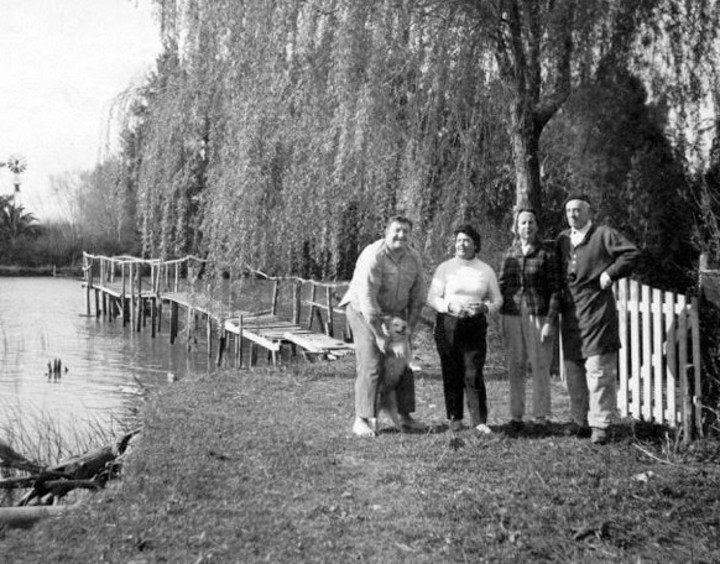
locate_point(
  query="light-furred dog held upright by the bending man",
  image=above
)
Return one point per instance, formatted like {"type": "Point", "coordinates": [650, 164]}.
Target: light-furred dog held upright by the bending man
{"type": "Point", "coordinates": [396, 362]}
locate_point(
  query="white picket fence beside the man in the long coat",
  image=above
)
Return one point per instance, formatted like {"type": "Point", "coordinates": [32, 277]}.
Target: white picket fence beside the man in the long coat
{"type": "Point", "coordinates": [659, 361]}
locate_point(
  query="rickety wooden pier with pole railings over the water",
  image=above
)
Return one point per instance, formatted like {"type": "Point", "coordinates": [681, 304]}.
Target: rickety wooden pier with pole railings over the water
{"type": "Point", "coordinates": [138, 291]}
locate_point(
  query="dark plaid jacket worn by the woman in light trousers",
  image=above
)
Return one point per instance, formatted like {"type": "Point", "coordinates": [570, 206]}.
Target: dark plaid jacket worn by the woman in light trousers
{"type": "Point", "coordinates": [535, 277]}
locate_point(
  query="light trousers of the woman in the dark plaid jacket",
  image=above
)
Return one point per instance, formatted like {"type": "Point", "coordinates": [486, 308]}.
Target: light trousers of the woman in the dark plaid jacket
{"type": "Point", "coordinates": [523, 345]}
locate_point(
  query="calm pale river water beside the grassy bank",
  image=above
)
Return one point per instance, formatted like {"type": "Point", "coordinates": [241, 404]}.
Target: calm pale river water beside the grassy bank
{"type": "Point", "coordinates": [43, 319]}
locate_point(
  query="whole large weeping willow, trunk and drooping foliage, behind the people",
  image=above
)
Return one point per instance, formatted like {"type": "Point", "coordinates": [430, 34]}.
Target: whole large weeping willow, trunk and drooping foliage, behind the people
{"type": "Point", "coordinates": [284, 133]}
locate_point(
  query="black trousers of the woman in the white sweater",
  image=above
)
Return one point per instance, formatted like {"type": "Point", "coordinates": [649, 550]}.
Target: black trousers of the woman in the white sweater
{"type": "Point", "coordinates": [462, 346]}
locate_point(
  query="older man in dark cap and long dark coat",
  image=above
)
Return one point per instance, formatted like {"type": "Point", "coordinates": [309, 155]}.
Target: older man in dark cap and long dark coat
{"type": "Point", "coordinates": [592, 258]}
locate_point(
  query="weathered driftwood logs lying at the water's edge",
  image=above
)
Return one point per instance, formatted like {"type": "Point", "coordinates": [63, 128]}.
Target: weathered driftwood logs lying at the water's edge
{"type": "Point", "coordinates": [48, 484]}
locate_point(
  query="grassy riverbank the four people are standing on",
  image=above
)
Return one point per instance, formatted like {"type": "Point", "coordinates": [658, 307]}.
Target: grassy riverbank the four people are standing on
{"type": "Point", "coordinates": [260, 466]}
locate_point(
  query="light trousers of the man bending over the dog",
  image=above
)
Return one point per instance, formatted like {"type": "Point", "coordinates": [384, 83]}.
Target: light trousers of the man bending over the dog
{"type": "Point", "coordinates": [369, 361]}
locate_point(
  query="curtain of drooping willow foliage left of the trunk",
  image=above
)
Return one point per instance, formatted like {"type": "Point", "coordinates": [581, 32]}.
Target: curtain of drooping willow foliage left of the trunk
{"type": "Point", "coordinates": [324, 118]}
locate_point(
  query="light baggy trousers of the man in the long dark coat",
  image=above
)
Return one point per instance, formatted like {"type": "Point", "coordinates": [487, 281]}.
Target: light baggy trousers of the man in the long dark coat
{"type": "Point", "coordinates": [592, 385]}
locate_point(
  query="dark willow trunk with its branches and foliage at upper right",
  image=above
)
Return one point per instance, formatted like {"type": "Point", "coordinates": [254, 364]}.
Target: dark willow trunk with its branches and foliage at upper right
{"type": "Point", "coordinates": [545, 49]}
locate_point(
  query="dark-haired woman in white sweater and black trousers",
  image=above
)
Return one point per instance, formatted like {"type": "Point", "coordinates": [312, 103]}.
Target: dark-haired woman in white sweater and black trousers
{"type": "Point", "coordinates": [463, 291]}
